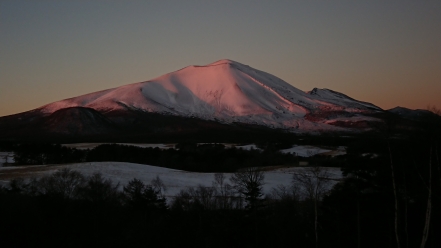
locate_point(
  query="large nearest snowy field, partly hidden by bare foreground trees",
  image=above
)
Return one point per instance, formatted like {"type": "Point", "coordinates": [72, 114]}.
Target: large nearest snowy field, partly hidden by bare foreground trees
{"type": "Point", "coordinates": [175, 180]}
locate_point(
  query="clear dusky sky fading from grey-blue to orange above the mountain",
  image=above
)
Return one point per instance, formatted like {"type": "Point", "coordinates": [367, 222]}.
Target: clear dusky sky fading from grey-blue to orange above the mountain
{"type": "Point", "coordinates": [384, 52]}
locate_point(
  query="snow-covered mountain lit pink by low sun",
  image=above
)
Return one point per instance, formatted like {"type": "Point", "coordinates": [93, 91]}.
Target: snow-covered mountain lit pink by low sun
{"type": "Point", "coordinates": [229, 92]}
